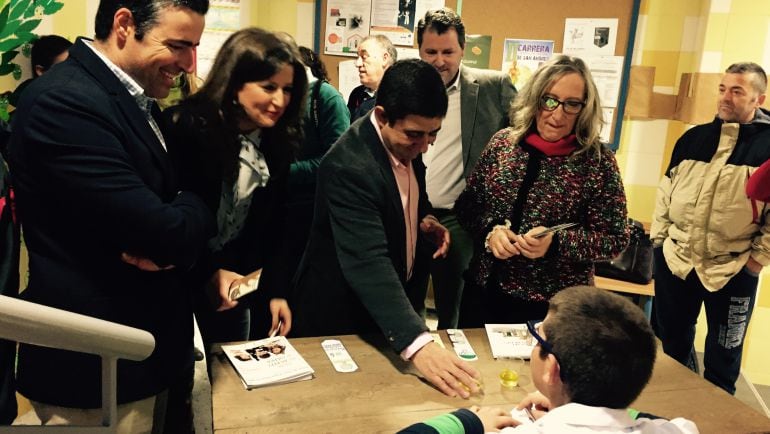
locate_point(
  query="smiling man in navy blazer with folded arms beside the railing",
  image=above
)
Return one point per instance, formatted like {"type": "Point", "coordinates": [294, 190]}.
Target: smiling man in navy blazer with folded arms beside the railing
{"type": "Point", "coordinates": [97, 196]}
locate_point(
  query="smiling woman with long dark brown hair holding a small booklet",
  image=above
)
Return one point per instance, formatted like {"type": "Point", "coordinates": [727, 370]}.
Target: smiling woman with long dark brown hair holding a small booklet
{"type": "Point", "coordinates": [233, 142]}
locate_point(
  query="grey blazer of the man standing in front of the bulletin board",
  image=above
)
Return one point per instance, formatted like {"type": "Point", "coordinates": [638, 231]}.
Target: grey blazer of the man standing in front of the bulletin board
{"type": "Point", "coordinates": [485, 100]}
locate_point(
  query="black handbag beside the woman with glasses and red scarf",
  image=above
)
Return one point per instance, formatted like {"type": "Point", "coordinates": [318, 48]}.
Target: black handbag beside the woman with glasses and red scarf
{"type": "Point", "coordinates": [634, 264]}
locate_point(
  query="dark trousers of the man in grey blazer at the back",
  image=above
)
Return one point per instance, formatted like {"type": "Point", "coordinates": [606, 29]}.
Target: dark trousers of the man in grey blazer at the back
{"type": "Point", "coordinates": [447, 273]}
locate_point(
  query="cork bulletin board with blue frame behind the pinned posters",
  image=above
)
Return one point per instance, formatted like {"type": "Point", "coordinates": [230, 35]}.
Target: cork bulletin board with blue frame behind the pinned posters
{"type": "Point", "coordinates": [526, 19]}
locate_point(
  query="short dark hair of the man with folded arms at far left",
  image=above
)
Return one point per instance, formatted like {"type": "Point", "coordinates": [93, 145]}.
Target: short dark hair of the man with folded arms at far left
{"type": "Point", "coordinates": [145, 13]}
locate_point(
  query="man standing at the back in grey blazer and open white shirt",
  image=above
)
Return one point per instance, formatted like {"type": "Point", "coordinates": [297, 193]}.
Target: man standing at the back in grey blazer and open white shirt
{"type": "Point", "coordinates": [479, 101]}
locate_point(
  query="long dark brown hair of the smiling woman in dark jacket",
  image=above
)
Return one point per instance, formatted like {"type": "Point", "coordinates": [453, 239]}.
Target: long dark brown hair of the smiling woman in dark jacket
{"type": "Point", "coordinates": [251, 55]}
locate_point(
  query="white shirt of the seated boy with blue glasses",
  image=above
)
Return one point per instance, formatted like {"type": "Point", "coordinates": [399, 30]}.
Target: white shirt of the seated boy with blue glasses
{"type": "Point", "coordinates": [578, 418]}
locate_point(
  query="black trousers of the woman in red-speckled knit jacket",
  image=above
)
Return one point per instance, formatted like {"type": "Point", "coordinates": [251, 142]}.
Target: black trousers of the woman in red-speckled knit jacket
{"type": "Point", "coordinates": [481, 306]}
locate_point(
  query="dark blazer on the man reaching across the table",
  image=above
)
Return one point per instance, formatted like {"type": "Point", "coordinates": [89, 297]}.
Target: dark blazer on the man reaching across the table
{"type": "Point", "coordinates": [352, 278]}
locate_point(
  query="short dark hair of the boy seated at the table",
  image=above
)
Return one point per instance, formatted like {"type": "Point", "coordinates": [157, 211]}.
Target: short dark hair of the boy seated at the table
{"type": "Point", "coordinates": [604, 344]}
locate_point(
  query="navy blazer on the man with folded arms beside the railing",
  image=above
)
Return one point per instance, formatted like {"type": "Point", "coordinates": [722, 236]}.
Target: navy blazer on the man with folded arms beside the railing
{"type": "Point", "coordinates": [93, 180]}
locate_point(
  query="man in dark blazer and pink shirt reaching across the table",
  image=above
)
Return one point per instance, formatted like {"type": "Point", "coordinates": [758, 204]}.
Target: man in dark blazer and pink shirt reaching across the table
{"type": "Point", "coordinates": [368, 243]}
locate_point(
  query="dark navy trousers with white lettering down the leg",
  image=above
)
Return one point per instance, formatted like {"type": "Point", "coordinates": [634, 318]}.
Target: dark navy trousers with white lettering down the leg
{"type": "Point", "coordinates": [728, 311]}
